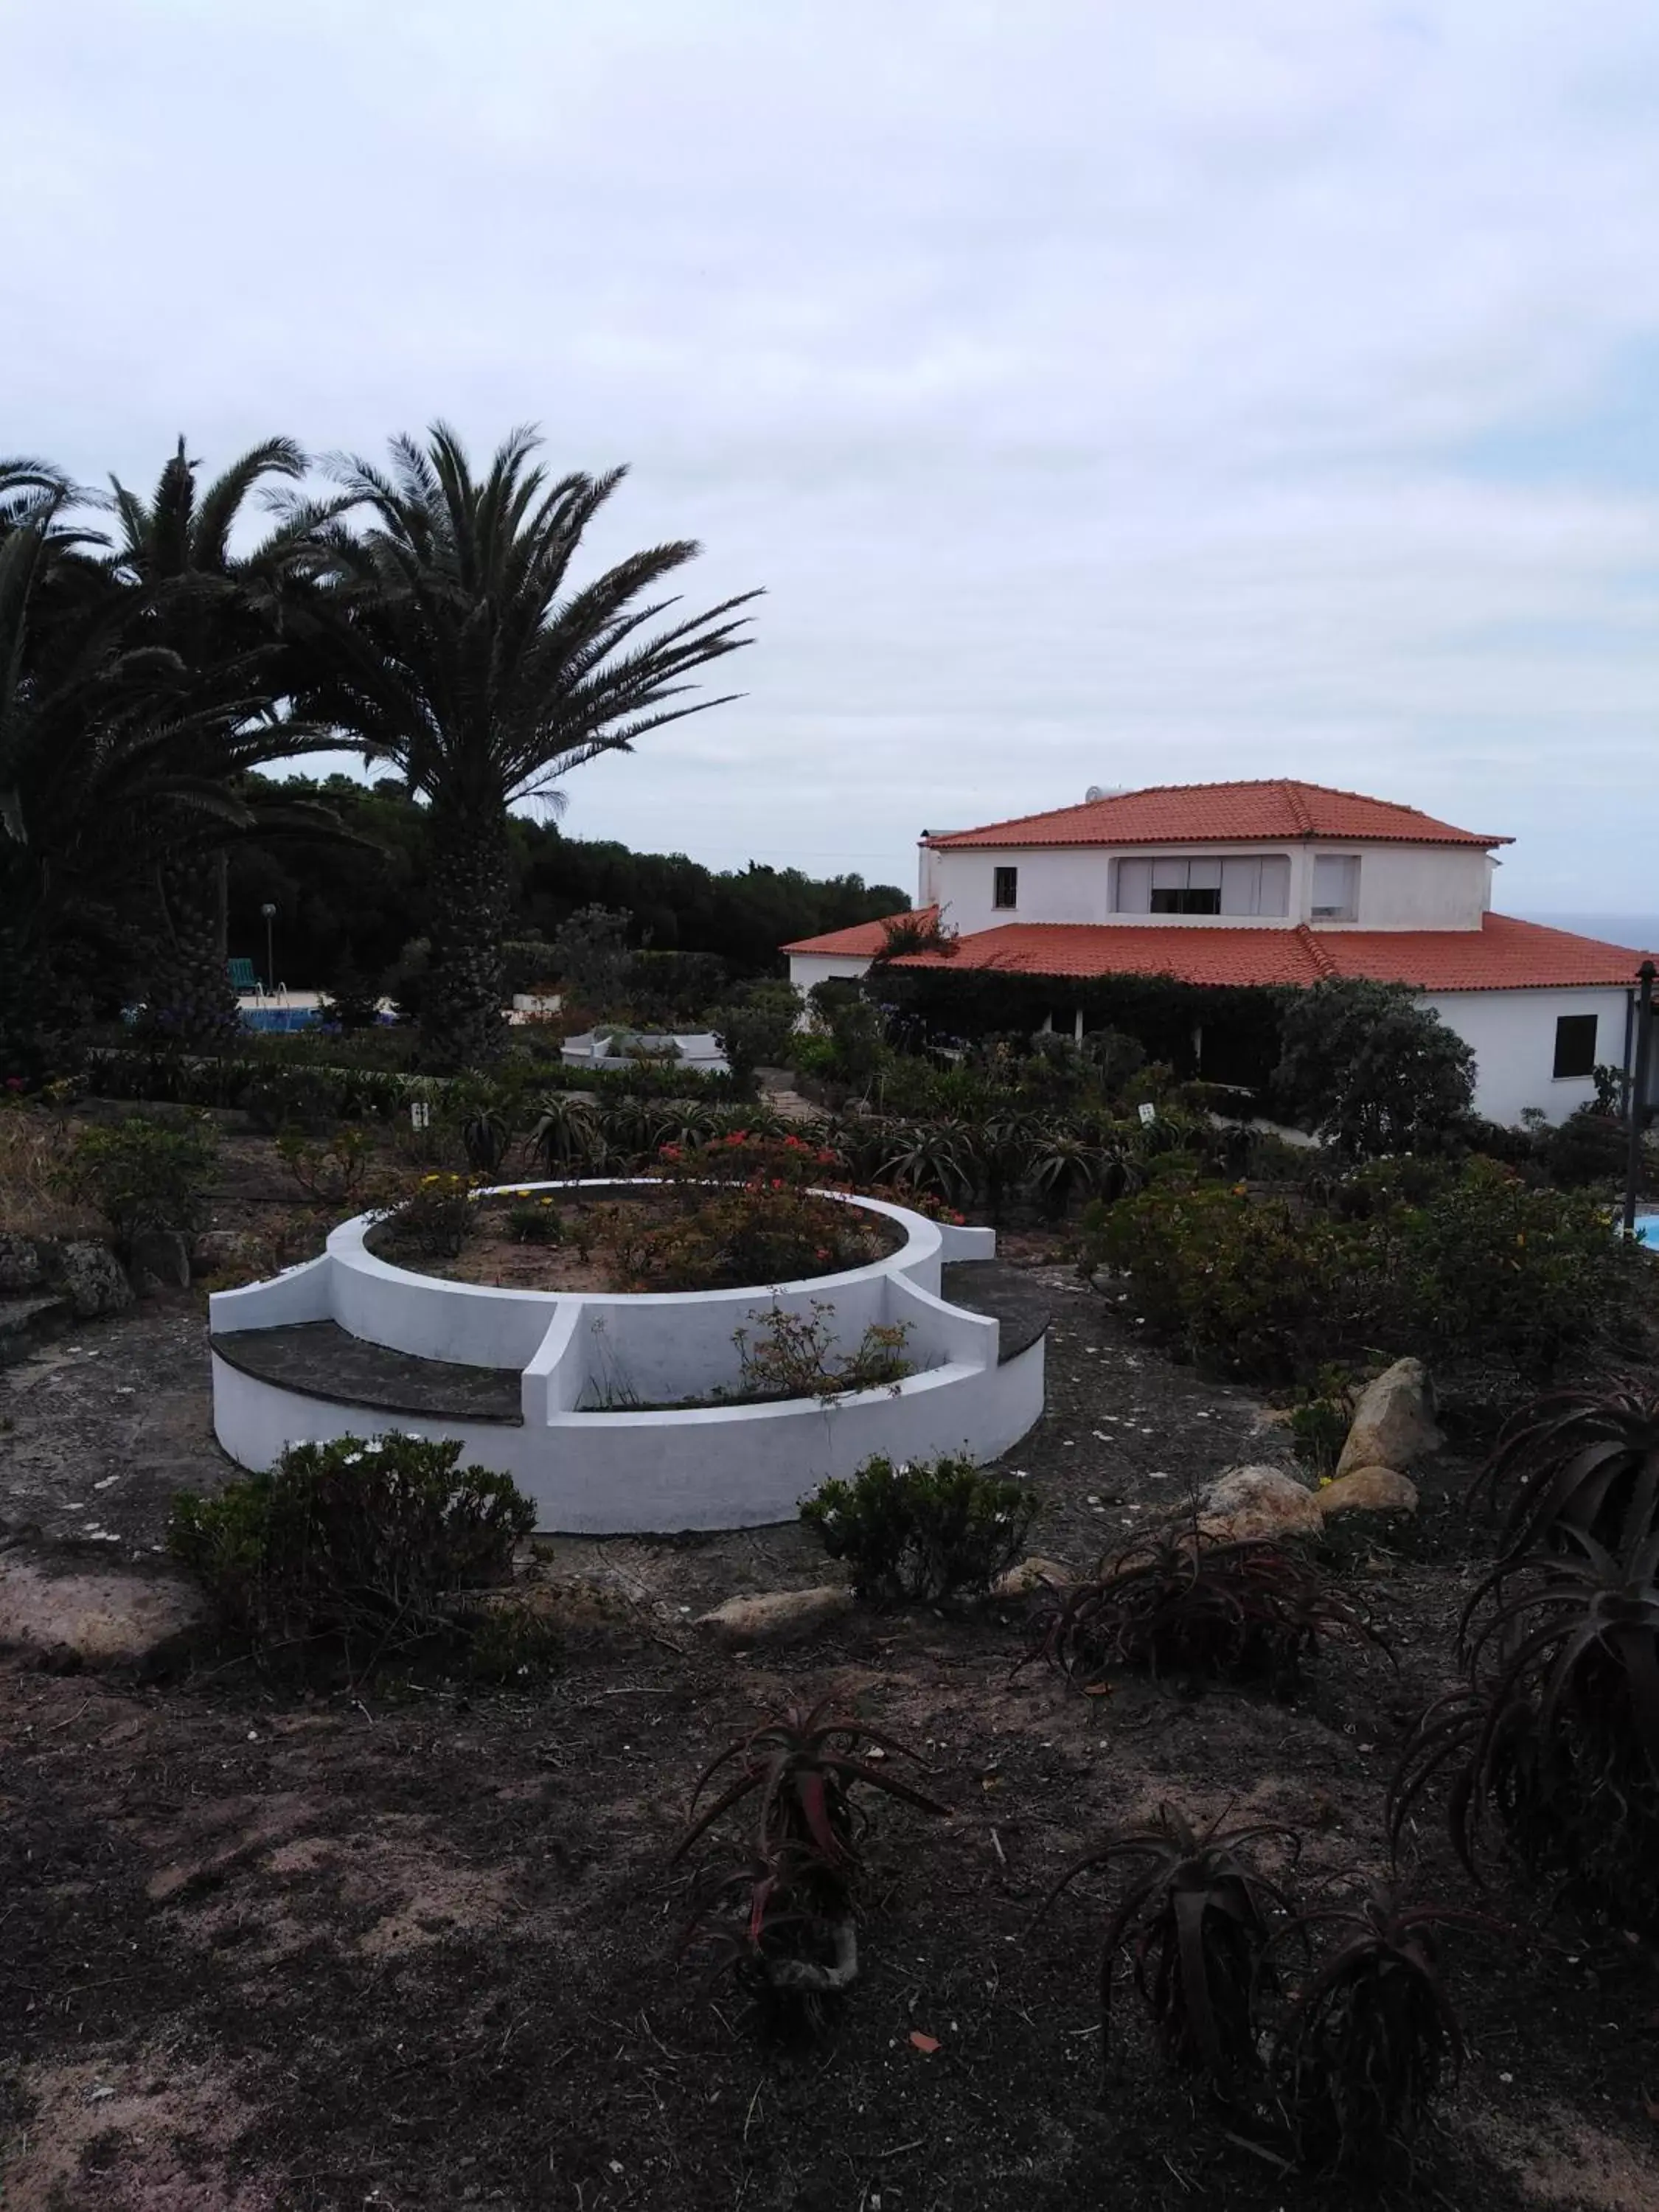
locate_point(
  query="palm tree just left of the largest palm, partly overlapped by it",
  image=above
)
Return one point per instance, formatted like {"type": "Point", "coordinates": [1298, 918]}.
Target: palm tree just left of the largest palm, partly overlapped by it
{"type": "Point", "coordinates": [229, 616]}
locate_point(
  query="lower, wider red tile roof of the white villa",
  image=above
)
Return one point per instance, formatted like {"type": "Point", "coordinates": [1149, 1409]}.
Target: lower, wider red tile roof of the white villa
{"type": "Point", "coordinates": [1499, 957]}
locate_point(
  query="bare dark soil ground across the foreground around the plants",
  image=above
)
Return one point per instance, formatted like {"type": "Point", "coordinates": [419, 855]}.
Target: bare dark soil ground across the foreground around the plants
{"type": "Point", "coordinates": [415, 1948]}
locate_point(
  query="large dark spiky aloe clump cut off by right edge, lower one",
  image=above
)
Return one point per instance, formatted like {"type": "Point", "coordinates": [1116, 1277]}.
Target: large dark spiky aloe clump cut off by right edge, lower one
{"type": "Point", "coordinates": [1554, 1735]}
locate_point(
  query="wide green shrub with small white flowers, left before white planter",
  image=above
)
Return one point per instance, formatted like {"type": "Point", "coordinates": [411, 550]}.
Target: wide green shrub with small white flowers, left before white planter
{"type": "Point", "coordinates": [366, 1541]}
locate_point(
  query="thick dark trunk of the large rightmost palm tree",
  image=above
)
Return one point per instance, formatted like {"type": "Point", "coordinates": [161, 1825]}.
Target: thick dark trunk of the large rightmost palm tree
{"type": "Point", "coordinates": [461, 1014]}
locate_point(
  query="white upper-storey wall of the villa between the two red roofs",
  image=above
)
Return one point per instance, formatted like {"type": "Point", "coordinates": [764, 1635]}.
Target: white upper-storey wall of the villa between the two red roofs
{"type": "Point", "coordinates": [1401, 886]}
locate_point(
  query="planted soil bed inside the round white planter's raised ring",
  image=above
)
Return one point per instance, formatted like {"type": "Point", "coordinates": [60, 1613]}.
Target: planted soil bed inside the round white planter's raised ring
{"type": "Point", "coordinates": [643, 1238]}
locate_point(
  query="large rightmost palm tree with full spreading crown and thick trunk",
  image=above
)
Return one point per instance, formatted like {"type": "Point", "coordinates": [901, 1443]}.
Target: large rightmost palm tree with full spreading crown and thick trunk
{"type": "Point", "coordinates": [466, 656]}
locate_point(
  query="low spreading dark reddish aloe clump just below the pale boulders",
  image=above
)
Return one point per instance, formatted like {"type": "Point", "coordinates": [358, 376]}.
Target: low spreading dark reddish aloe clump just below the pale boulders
{"type": "Point", "coordinates": [1185, 1605]}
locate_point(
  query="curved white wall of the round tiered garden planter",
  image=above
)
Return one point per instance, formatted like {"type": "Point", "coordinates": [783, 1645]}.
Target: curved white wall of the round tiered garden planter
{"type": "Point", "coordinates": [629, 1470]}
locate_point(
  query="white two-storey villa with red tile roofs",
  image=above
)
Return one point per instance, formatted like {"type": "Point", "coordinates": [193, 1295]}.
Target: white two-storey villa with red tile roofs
{"type": "Point", "coordinates": [1275, 884]}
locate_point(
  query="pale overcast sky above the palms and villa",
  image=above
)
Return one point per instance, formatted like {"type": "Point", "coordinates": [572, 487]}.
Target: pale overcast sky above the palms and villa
{"type": "Point", "coordinates": [1103, 393]}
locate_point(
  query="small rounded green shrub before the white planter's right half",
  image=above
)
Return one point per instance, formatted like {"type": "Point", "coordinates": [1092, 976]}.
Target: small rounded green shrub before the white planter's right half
{"type": "Point", "coordinates": [932, 1530]}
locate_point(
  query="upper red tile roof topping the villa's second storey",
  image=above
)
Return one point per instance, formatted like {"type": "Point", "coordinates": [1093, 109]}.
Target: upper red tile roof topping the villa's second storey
{"type": "Point", "coordinates": [1222, 815]}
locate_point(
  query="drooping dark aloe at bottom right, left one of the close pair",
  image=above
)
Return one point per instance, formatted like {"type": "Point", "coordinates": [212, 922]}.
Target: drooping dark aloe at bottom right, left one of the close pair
{"type": "Point", "coordinates": [1198, 1926]}
